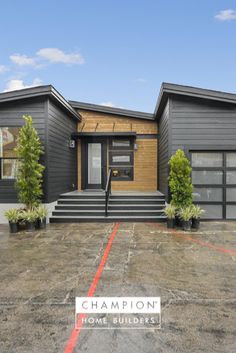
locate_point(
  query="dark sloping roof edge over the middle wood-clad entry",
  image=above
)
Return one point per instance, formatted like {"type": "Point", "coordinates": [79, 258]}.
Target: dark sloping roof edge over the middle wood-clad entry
{"type": "Point", "coordinates": [112, 110]}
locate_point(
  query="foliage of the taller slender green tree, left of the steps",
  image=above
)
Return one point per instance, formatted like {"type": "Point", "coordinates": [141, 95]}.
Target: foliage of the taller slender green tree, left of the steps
{"type": "Point", "coordinates": [30, 171]}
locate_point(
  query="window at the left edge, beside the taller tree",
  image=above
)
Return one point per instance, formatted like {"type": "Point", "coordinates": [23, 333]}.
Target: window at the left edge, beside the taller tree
{"type": "Point", "coordinates": [8, 158]}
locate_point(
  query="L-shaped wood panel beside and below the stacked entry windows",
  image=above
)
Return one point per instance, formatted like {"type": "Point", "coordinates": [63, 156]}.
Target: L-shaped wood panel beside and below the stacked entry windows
{"type": "Point", "coordinates": [145, 169]}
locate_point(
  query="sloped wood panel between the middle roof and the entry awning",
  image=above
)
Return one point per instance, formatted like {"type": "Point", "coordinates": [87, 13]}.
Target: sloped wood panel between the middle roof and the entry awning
{"type": "Point", "coordinates": [94, 121]}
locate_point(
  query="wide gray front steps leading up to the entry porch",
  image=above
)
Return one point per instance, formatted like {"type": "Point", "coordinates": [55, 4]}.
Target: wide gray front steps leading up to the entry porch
{"type": "Point", "coordinates": [124, 207]}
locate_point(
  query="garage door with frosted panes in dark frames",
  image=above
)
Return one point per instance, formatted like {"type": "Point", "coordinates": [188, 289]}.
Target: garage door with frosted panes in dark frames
{"type": "Point", "coordinates": [214, 180]}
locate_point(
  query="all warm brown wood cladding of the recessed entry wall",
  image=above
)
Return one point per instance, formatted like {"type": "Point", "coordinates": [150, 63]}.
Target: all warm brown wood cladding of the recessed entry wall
{"type": "Point", "coordinates": [145, 157]}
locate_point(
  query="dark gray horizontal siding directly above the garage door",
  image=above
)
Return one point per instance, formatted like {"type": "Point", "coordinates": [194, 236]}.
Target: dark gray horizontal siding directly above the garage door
{"type": "Point", "coordinates": [200, 123]}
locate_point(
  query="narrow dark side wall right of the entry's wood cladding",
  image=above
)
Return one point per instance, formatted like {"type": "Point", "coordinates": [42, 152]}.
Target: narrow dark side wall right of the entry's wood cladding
{"type": "Point", "coordinates": [163, 152]}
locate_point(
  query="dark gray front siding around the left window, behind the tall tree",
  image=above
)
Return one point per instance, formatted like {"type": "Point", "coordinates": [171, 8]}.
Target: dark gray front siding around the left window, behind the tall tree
{"type": "Point", "coordinates": [11, 115]}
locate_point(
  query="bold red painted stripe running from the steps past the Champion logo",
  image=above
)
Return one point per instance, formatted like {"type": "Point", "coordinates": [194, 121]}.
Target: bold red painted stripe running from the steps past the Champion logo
{"type": "Point", "coordinates": [71, 343]}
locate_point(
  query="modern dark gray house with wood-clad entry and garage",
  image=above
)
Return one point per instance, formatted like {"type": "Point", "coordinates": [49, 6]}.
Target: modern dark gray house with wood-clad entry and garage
{"type": "Point", "coordinates": [82, 142]}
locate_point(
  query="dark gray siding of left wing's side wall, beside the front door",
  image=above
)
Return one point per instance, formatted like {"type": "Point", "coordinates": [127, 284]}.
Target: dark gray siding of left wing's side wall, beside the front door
{"type": "Point", "coordinates": [61, 160]}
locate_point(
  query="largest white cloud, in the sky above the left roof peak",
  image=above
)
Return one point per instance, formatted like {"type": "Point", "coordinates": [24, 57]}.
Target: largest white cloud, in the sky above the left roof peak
{"type": "Point", "coordinates": [55, 55]}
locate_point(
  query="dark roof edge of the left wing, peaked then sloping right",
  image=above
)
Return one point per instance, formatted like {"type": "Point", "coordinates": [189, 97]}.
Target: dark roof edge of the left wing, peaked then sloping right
{"type": "Point", "coordinates": [46, 90]}
